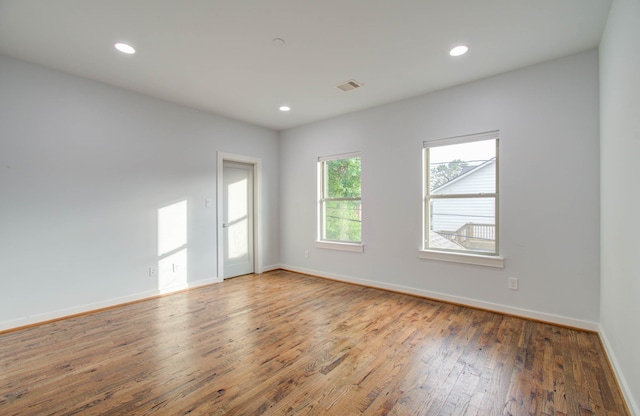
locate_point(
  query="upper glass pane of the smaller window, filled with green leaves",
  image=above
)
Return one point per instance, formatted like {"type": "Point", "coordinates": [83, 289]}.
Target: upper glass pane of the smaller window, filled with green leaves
{"type": "Point", "coordinates": [343, 178]}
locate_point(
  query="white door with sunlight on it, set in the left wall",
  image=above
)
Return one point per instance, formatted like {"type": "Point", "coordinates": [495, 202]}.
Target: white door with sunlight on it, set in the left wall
{"type": "Point", "coordinates": [237, 219]}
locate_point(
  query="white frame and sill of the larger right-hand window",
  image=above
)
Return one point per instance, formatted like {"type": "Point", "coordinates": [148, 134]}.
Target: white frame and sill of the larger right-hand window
{"type": "Point", "coordinates": [483, 258]}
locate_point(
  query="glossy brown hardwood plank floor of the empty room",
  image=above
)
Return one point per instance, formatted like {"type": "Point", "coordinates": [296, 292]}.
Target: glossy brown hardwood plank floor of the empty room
{"type": "Point", "coordinates": [284, 343]}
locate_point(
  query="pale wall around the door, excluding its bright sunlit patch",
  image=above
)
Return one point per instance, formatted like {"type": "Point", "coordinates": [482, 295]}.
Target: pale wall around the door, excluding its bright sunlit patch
{"type": "Point", "coordinates": [84, 168]}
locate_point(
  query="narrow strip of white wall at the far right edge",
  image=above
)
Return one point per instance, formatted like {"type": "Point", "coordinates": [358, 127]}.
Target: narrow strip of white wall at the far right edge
{"type": "Point", "coordinates": [620, 163]}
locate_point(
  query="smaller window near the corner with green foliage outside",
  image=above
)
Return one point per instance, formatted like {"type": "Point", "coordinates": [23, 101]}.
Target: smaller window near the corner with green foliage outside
{"type": "Point", "coordinates": [339, 204]}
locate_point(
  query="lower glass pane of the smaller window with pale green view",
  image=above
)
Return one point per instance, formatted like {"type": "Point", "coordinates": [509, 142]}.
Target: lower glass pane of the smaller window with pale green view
{"type": "Point", "coordinates": [343, 220]}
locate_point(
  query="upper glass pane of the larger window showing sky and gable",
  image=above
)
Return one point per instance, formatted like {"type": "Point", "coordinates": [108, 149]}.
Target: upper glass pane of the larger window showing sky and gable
{"type": "Point", "coordinates": [465, 168]}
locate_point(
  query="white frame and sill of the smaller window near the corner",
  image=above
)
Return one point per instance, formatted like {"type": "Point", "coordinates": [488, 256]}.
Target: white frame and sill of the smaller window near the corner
{"type": "Point", "coordinates": [322, 241]}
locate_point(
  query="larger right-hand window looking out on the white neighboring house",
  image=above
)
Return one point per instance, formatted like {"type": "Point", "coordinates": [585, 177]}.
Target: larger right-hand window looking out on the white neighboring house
{"type": "Point", "coordinates": [461, 194]}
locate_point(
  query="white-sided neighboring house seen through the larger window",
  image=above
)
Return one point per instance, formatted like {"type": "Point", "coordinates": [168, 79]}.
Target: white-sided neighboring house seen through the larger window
{"type": "Point", "coordinates": [458, 219]}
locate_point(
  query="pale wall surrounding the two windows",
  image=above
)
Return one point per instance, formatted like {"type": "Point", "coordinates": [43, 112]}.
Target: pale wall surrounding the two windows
{"type": "Point", "coordinates": [549, 184]}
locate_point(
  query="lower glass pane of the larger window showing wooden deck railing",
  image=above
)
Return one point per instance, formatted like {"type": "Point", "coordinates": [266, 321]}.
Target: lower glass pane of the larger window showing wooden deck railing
{"type": "Point", "coordinates": [466, 224]}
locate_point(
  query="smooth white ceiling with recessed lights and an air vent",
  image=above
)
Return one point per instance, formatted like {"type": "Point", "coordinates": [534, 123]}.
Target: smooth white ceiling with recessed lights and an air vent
{"type": "Point", "coordinates": [218, 55]}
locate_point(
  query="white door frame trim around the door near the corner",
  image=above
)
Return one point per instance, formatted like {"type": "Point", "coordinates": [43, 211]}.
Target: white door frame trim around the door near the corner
{"type": "Point", "coordinates": [257, 204]}
